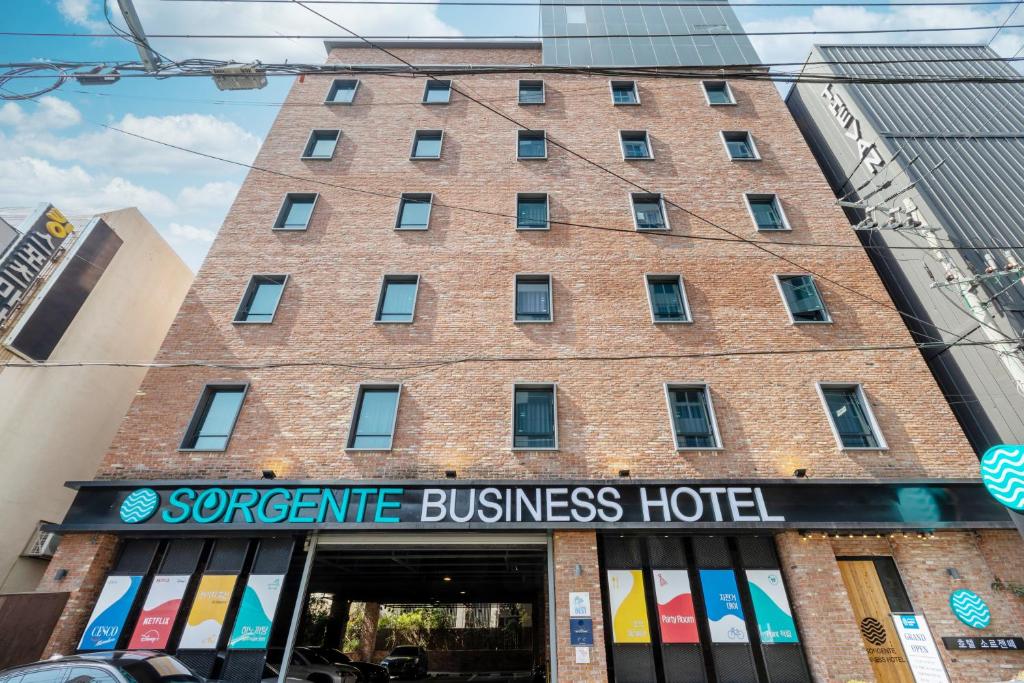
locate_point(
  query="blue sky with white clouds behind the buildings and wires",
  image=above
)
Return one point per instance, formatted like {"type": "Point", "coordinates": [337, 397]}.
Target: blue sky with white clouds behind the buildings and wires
{"type": "Point", "coordinates": [52, 151]}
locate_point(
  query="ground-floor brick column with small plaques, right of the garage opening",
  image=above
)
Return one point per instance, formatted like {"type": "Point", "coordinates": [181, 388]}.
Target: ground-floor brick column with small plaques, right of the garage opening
{"type": "Point", "coordinates": [571, 549]}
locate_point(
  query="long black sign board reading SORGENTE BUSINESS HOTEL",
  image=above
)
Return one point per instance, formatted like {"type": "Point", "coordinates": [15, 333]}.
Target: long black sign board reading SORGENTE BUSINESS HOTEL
{"type": "Point", "coordinates": [276, 505]}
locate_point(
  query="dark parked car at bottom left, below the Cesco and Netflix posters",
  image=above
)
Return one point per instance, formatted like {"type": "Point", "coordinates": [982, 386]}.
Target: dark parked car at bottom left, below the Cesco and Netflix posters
{"type": "Point", "coordinates": [113, 667]}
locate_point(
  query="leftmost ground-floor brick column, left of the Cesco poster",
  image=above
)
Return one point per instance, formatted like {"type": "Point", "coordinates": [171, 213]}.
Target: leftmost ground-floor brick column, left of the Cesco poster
{"type": "Point", "coordinates": [88, 559]}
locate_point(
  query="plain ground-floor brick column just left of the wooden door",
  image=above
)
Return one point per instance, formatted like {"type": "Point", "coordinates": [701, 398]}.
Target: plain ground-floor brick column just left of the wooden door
{"type": "Point", "coordinates": [828, 627]}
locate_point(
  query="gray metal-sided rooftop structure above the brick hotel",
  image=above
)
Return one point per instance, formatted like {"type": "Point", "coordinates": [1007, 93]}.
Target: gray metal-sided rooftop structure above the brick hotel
{"type": "Point", "coordinates": [625, 18]}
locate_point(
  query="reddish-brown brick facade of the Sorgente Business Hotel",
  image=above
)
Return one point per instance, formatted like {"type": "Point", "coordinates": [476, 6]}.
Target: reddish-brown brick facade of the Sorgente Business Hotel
{"type": "Point", "coordinates": [460, 359]}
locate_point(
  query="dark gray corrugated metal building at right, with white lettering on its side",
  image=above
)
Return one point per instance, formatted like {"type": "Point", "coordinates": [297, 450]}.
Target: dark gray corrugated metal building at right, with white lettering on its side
{"type": "Point", "coordinates": [950, 155]}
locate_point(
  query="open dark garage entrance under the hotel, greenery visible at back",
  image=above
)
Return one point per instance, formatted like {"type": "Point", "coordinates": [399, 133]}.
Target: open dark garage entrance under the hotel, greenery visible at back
{"type": "Point", "coordinates": [455, 608]}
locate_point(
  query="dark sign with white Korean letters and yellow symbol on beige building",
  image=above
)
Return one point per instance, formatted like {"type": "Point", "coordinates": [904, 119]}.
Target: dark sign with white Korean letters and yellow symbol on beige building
{"type": "Point", "coordinates": [26, 261]}
